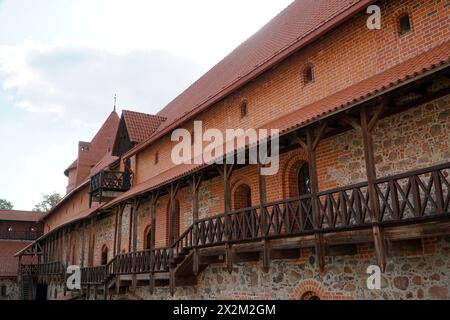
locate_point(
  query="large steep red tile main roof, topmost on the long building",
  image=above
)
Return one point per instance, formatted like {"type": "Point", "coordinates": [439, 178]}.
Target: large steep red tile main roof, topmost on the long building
{"type": "Point", "coordinates": [298, 25]}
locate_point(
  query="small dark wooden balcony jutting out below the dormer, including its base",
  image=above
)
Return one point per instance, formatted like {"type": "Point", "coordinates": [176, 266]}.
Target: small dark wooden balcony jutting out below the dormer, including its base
{"type": "Point", "coordinates": [107, 185]}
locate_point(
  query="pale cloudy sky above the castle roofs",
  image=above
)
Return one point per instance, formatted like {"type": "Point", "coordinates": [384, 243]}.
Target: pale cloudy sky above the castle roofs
{"type": "Point", "coordinates": [61, 62]}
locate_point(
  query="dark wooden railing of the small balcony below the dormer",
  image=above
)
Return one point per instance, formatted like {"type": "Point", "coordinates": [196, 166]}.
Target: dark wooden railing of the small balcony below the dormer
{"type": "Point", "coordinates": [110, 181]}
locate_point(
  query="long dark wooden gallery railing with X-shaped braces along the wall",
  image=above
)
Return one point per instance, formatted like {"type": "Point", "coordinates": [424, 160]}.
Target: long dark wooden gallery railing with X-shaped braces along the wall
{"type": "Point", "coordinates": [408, 197]}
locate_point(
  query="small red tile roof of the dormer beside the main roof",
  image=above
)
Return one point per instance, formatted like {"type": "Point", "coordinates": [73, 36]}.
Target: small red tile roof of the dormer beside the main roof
{"type": "Point", "coordinates": [141, 125]}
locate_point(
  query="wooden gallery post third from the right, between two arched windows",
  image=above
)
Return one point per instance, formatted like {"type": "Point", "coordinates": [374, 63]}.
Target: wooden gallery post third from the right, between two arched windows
{"type": "Point", "coordinates": [263, 217]}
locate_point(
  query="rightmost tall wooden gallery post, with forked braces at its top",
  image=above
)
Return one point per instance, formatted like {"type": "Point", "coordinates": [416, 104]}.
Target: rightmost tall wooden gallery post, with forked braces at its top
{"type": "Point", "coordinates": [367, 127]}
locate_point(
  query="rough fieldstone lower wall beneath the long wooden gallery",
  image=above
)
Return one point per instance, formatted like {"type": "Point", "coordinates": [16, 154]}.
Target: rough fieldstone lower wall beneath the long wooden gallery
{"type": "Point", "coordinates": [421, 274]}
